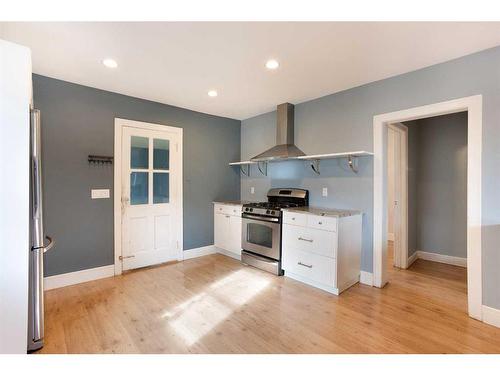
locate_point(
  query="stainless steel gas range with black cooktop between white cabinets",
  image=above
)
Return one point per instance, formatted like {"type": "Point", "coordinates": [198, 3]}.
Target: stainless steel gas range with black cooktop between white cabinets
{"type": "Point", "coordinates": [261, 228]}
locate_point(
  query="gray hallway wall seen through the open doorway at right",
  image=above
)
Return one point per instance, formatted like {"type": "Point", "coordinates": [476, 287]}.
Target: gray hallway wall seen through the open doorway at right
{"type": "Point", "coordinates": [439, 191]}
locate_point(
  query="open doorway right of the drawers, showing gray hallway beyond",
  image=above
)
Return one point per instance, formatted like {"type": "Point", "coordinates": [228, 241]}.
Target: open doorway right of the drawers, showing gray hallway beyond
{"type": "Point", "coordinates": [427, 191]}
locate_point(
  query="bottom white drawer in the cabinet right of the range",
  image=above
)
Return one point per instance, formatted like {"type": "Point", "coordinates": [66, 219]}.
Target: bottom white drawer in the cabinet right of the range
{"type": "Point", "coordinates": [314, 267]}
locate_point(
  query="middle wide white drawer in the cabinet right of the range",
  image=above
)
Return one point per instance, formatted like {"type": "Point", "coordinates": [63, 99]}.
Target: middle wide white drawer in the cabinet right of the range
{"type": "Point", "coordinates": [310, 240]}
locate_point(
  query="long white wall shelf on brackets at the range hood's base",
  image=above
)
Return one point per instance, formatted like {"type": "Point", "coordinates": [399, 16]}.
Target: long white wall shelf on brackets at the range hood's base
{"type": "Point", "coordinates": [352, 160]}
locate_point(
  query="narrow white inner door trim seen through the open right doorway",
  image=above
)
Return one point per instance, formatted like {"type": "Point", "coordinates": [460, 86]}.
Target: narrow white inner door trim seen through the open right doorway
{"type": "Point", "coordinates": [403, 202]}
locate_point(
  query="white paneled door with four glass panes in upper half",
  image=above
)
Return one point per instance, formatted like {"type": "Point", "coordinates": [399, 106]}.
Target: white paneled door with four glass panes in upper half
{"type": "Point", "coordinates": [150, 201]}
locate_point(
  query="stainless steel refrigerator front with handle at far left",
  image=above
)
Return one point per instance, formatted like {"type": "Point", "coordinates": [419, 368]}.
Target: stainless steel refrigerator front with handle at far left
{"type": "Point", "coordinates": [39, 243]}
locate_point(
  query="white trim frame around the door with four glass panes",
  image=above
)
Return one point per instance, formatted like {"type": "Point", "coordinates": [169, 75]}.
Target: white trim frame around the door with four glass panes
{"type": "Point", "coordinates": [119, 125]}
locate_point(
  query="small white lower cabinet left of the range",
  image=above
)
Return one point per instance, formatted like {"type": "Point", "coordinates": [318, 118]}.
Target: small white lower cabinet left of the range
{"type": "Point", "coordinates": [227, 229]}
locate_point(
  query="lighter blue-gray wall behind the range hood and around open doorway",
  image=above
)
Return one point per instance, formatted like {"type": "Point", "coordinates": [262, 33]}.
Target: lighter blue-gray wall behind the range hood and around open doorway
{"type": "Point", "coordinates": [344, 122]}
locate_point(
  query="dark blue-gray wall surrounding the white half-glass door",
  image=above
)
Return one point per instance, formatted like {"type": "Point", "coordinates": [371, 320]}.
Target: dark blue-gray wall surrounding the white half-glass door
{"type": "Point", "coordinates": [78, 121]}
